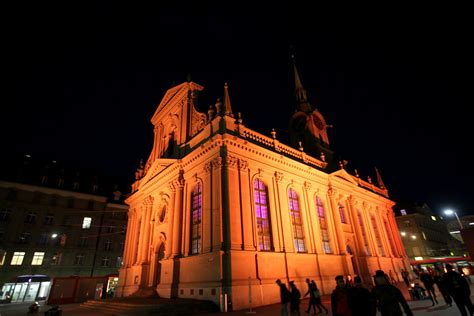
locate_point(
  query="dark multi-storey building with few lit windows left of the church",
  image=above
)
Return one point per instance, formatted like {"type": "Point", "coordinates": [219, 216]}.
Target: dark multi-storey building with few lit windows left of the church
{"type": "Point", "coordinates": [55, 224]}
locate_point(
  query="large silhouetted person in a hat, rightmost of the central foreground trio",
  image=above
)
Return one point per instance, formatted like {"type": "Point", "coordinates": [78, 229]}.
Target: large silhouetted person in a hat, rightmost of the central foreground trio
{"type": "Point", "coordinates": [388, 297]}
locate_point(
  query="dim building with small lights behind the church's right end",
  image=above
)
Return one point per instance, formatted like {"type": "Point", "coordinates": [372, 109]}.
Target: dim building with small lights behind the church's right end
{"type": "Point", "coordinates": [425, 234]}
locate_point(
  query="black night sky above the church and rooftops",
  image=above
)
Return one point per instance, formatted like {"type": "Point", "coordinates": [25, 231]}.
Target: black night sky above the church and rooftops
{"type": "Point", "coordinates": [83, 83]}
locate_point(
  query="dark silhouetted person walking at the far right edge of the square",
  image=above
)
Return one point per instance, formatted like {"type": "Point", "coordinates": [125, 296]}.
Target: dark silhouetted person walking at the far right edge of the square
{"type": "Point", "coordinates": [459, 290]}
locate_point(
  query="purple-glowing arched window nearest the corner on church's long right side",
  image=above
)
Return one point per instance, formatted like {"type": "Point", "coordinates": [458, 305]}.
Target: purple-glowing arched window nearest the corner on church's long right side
{"type": "Point", "coordinates": [262, 215]}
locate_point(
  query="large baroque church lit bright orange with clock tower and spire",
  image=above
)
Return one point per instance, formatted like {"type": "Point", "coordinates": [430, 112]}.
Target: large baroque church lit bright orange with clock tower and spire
{"type": "Point", "coordinates": [221, 209]}
